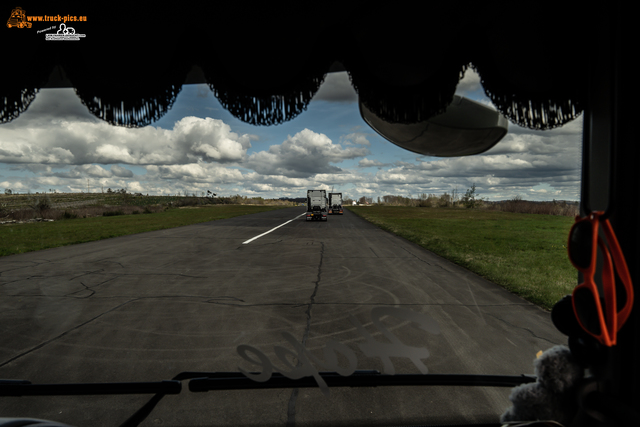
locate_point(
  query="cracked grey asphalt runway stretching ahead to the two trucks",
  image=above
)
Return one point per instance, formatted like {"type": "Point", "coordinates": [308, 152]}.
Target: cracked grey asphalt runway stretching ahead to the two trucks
{"type": "Point", "coordinates": [148, 306]}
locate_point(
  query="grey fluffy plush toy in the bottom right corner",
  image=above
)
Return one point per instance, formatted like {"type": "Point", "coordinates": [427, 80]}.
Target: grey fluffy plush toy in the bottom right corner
{"type": "Point", "coordinates": [552, 396]}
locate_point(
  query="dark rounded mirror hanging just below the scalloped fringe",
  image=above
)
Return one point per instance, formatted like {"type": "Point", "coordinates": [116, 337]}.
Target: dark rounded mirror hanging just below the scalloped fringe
{"type": "Point", "coordinates": [465, 128]}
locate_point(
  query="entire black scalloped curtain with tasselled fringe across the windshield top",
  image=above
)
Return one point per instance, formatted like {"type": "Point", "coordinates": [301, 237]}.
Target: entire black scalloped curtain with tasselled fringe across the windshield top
{"type": "Point", "coordinates": [290, 67]}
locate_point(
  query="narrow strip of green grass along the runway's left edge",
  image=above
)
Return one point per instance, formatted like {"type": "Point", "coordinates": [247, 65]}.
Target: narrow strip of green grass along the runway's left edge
{"type": "Point", "coordinates": [20, 238]}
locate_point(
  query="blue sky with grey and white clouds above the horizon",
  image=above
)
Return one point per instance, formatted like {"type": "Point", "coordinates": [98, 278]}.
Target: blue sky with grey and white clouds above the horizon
{"type": "Point", "coordinates": [199, 146]}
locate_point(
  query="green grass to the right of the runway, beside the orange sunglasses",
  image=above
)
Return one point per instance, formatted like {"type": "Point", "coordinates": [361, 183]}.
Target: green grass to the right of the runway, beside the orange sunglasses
{"type": "Point", "coordinates": [524, 253]}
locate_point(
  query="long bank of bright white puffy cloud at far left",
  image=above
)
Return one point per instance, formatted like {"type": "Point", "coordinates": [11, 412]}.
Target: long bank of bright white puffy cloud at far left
{"type": "Point", "coordinates": [49, 140]}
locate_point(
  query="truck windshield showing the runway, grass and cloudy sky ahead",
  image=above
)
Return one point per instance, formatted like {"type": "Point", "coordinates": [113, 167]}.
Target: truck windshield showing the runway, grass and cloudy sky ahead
{"type": "Point", "coordinates": [133, 254]}
